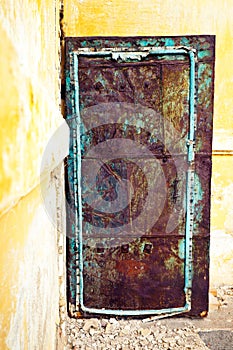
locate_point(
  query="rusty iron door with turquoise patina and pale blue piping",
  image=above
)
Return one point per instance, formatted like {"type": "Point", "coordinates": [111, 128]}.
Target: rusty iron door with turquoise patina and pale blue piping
{"type": "Point", "coordinates": [138, 179]}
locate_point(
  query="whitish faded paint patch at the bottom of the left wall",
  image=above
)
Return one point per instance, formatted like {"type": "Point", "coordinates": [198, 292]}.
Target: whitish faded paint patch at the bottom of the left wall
{"type": "Point", "coordinates": [36, 302]}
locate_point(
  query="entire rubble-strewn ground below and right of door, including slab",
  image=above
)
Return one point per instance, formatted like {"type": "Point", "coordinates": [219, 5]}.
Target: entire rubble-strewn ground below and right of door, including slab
{"type": "Point", "coordinates": [214, 332]}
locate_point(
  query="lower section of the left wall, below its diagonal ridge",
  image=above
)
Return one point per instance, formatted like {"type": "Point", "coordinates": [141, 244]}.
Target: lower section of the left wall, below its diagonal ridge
{"type": "Point", "coordinates": [29, 276]}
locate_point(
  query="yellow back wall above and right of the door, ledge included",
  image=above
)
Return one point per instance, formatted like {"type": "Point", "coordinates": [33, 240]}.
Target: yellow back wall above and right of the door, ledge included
{"type": "Point", "coordinates": [155, 17]}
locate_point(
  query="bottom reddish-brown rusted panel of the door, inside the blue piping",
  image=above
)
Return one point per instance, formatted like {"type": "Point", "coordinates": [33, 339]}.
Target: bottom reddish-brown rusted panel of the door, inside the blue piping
{"type": "Point", "coordinates": [123, 273]}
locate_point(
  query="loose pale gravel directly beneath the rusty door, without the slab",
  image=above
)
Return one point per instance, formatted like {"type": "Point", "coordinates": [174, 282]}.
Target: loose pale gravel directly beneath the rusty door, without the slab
{"type": "Point", "coordinates": [103, 334]}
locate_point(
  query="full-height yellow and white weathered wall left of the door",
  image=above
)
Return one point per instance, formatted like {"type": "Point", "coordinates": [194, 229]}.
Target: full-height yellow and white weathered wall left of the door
{"type": "Point", "coordinates": [29, 114]}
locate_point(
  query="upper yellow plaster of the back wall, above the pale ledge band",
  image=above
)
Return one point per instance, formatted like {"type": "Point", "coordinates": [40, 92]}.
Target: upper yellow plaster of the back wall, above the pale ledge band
{"type": "Point", "coordinates": [156, 17]}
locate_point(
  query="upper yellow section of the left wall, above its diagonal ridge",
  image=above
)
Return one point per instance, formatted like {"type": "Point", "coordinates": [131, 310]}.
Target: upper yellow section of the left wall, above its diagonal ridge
{"type": "Point", "coordinates": [29, 70]}
